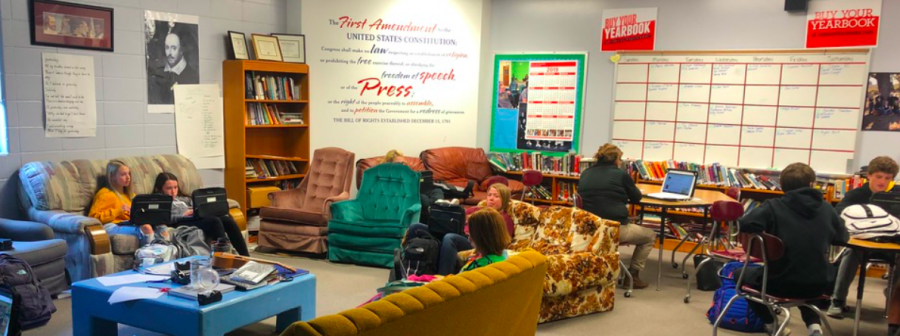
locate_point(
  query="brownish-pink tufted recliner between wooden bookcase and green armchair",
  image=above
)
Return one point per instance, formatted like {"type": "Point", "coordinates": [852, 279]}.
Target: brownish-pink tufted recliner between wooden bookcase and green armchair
{"type": "Point", "coordinates": [298, 218]}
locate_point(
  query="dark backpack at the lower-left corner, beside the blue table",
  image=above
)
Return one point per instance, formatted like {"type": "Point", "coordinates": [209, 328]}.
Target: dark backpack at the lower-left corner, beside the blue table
{"type": "Point", "coordinates": [32, 304]}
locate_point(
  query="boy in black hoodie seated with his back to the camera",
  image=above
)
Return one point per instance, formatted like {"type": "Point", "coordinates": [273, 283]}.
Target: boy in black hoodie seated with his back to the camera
{"type": "Point", "coordinates": [808, 226]}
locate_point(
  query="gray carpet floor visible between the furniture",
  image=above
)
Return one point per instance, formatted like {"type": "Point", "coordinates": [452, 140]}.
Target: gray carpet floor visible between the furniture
{"type": "Point", "coordinates": [648, 312]}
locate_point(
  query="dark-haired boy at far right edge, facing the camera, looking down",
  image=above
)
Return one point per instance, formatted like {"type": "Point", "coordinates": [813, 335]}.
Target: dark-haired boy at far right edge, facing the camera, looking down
{"type": "Point", "coordinates": [881, 173]}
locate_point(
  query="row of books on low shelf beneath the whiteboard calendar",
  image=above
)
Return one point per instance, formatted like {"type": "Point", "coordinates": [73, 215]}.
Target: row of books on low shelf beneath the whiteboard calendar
{"type": "Point", "coordinates": [713, 174]}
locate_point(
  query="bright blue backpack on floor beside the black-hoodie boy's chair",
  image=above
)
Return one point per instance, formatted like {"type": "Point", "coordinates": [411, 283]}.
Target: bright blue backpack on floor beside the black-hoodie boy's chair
{"type": "Point", "coordinates": [739, 317]}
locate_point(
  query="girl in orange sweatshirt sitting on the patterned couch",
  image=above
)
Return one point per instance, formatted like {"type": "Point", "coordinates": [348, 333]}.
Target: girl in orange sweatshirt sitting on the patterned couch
{"type": "Point", "coordinates": [112, 206]}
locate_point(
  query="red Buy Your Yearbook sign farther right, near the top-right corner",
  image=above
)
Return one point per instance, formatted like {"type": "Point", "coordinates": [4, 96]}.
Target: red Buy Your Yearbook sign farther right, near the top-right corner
{"type": "Point", "coordinates": [835, 24]}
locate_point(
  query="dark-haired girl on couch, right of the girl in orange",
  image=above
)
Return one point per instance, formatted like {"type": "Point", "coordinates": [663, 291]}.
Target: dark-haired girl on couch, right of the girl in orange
{"type": "Point", "coordinates": [183, 214]}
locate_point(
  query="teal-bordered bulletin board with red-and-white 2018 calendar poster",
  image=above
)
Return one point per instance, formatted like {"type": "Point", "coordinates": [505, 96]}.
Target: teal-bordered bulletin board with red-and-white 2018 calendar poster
{"type": "Point", "coordinates": [537, 102]}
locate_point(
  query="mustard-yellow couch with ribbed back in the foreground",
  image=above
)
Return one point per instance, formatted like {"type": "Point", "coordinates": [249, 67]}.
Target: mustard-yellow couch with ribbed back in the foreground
{"type": "Point", "coordinates": [498, 299]}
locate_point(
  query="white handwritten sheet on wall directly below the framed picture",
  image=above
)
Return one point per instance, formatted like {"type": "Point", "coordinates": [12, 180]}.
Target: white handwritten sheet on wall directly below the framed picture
{"type": "Point", "coordinates": [70, 101]}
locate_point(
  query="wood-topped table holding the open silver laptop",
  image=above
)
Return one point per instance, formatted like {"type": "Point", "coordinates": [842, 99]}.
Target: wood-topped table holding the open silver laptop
{"type": "Point", "coordinates": [702, 199]}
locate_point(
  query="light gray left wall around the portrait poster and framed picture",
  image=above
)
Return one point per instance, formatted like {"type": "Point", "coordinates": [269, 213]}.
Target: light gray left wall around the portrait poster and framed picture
{"type": "Point", "coordinates": [124, 128]}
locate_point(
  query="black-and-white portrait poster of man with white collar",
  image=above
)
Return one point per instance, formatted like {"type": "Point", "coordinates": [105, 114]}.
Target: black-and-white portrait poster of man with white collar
{"type": "Point", "coordinates": [173, 57]}
